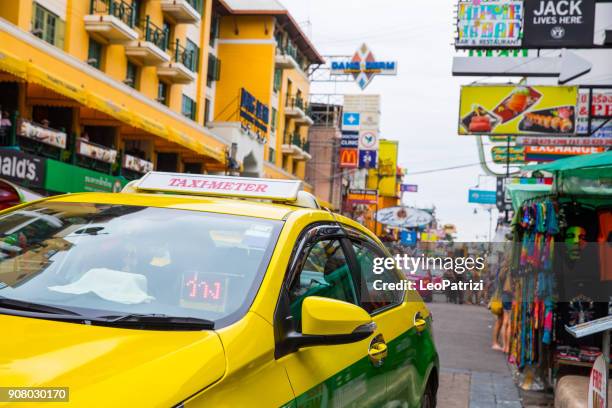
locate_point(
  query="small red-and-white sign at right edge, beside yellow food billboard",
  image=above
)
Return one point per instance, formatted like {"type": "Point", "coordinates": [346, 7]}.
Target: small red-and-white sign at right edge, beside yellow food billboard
{"type": "Point", "coordinates": [601, 107]}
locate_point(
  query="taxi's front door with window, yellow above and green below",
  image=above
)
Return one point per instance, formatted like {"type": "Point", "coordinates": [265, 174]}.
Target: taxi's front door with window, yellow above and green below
{"type": "Point", "coordinates": [347, 374]}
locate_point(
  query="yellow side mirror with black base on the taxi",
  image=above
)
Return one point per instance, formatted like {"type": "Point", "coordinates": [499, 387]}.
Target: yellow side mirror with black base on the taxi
{"type": "Point", "coordinates": [328, 321]}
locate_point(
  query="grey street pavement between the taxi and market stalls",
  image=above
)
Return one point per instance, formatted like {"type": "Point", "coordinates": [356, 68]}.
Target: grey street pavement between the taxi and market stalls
{"type": "Point", "coordinates": [472, 375]}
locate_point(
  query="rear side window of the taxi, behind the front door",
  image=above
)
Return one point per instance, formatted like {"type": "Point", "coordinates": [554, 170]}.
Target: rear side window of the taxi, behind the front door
{"type": "Point", "coordinates": [374, 300]}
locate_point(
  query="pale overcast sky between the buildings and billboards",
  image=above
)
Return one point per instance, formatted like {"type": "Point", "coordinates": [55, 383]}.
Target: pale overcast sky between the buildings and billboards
{"type": "Point", "coordinates": [420, 105]}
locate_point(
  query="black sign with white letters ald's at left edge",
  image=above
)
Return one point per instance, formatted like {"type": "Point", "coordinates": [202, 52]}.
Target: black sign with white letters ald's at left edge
{"type": "Point", "coordinates": [22, 168]}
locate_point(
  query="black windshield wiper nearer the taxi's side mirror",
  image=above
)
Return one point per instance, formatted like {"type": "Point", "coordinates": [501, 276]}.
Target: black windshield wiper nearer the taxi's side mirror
{"type": "Point", "coordinates": [156, 321]}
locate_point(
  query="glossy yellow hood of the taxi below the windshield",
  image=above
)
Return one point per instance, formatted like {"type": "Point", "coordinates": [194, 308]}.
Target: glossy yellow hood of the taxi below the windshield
{"type": "Point", "coordinates": [106, 367]}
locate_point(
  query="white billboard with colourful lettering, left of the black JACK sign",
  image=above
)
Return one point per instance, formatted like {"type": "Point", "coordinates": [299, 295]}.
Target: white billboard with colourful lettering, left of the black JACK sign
{"type": "Point", "coordinates": [489, 24]}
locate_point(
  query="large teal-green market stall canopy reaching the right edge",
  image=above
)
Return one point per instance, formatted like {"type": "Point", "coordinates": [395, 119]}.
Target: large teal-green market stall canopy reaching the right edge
{"type": "Point", "coordinates": [588, 174]}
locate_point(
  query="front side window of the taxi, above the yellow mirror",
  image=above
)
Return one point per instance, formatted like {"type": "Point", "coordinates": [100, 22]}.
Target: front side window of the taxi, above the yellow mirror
{"type": "Point", "coordinates": [325, 273]}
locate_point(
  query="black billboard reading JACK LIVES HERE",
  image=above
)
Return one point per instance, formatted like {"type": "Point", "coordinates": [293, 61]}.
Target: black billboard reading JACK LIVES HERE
{"type": "Point", "coordinates": [559, 23]}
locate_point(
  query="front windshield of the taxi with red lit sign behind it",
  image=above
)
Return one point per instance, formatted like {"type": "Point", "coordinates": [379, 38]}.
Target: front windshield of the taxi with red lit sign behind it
{"type": "Point", "coordinates": [100, 260]}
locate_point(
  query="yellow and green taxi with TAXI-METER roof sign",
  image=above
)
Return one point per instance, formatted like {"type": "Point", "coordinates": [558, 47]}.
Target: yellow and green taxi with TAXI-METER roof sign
{"type": "Point", "coordinates": [204, 291]}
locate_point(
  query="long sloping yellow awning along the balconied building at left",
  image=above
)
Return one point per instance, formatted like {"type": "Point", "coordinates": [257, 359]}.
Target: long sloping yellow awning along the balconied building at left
{"type": "Point", "coordinates": [103, 96]}
